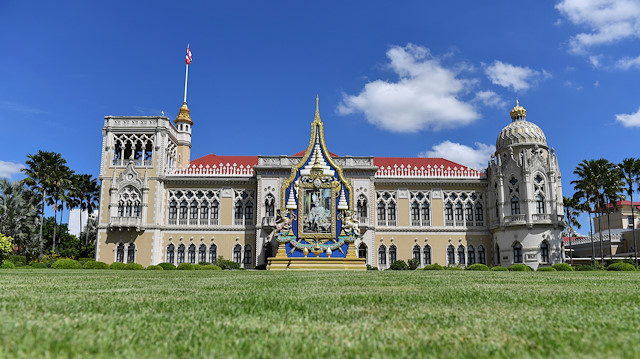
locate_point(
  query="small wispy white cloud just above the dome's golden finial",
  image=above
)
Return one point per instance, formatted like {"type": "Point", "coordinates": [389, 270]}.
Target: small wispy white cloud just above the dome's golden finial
{"type": "Point", "coordinates": [516, 77]}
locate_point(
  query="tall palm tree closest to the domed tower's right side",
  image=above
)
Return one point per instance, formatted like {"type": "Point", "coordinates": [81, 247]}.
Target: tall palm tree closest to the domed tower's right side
{"type": "Point", "coordinates": [588, 186]}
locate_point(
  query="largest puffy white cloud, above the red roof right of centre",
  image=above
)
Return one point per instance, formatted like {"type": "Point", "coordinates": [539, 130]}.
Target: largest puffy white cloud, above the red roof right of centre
{"type": "Point", "coordinates": [426, 95]}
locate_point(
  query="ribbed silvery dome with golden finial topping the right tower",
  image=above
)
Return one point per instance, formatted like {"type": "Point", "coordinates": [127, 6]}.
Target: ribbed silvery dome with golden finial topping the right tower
{"type": "Point", "coordinates": [520, 131]}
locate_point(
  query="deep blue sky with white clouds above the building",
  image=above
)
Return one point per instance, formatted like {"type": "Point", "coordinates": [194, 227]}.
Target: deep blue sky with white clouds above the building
{"type": "Point", "coordinates": [406, 78]}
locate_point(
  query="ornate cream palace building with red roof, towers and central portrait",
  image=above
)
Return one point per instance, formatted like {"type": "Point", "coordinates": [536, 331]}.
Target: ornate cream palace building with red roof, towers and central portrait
{"type": "Point", "coordinates": [318, 210]}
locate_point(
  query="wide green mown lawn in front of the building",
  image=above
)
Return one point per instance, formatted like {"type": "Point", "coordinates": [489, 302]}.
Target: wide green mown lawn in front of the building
{"type": "Point", "coordinates": [153, 314]}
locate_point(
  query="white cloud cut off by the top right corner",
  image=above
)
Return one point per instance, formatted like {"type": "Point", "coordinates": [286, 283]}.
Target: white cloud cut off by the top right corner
{"type": "Point", "coordinates": [607, 21]}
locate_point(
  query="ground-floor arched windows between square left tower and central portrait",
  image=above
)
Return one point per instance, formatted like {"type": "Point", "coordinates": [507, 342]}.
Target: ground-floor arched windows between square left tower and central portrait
{"type": "Point", "coordinates": [184, 254]}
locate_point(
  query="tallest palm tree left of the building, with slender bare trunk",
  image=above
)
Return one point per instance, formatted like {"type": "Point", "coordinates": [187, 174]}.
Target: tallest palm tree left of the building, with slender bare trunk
{"type": "Point", "coordinates": [42, 170]}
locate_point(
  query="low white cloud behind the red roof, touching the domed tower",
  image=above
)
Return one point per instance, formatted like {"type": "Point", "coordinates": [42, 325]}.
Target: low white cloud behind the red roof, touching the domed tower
{"type": "Point", "coordinates": [476, 158]}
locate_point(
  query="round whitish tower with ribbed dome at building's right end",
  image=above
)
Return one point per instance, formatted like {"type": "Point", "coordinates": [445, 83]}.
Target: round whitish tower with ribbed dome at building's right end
{"type": "Point", "coordinates": [525, 196]}
